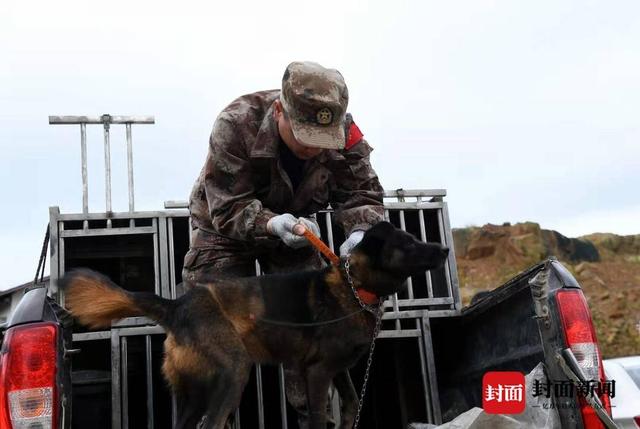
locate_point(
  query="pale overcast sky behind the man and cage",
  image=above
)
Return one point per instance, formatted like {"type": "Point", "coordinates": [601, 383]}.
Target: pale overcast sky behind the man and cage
{"type": "Point", "coordinates": [521, 110]}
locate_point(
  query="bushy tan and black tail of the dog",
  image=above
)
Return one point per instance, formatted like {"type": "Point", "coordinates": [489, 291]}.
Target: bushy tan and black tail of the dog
{"type": "Point", "coordinates": [95, 301]}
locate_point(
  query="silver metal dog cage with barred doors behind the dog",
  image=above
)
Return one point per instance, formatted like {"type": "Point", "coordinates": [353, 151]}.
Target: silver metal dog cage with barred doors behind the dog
{"type": "Point", "coordinates": [117, 375]}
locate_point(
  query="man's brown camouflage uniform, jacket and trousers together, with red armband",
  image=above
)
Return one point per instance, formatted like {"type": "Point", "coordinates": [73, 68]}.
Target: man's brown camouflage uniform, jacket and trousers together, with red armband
{"type": "Point", "coordinates": [244, 183]}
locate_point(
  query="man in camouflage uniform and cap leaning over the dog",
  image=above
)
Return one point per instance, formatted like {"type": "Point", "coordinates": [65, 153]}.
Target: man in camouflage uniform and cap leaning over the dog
{"type": "Point", "coordinates": [275, 158]}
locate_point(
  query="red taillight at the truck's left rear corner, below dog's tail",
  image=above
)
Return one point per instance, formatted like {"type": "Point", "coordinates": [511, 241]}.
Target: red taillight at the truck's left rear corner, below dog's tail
{"type": "Point", "coordinates": [28, 377]}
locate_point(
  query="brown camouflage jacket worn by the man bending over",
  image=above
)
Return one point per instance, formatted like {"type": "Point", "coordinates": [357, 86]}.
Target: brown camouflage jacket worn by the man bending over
{"type": "Point", "coordinates": [242, 184]}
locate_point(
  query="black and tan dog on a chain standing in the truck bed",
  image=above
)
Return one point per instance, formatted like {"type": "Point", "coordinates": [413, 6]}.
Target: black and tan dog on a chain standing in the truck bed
{"type": "Point", "coordinates": [216, 332]}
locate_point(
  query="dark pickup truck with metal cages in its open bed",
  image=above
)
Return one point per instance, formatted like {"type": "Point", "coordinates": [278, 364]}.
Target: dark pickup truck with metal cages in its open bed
{"type": "Point", "coordinates": [430, 358]}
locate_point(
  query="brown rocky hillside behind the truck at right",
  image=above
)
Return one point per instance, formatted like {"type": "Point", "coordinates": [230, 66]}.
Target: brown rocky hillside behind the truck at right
{"type": "Point", "coordinates": [607, 266]}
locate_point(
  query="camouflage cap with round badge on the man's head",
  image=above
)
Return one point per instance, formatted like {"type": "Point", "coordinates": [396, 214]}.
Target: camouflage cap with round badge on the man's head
{"type": "Point", "coordinates": [315, 99]}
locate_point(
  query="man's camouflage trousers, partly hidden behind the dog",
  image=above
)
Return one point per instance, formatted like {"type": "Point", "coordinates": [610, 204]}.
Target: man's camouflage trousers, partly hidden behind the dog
{"type": "Point", "coordinates": [204, 265]}
